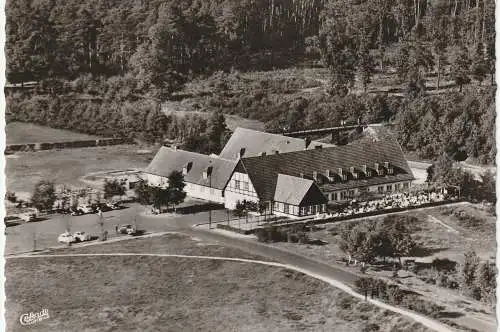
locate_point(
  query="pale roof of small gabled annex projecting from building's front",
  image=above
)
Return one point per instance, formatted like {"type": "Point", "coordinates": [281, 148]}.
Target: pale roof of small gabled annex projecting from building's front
{"type": "Point", "coordinates": [297, 191]}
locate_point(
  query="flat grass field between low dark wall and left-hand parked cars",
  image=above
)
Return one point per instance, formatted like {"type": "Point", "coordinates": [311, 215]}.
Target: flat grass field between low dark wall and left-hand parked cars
{"type": "Point", "coordinates": [67, 166]}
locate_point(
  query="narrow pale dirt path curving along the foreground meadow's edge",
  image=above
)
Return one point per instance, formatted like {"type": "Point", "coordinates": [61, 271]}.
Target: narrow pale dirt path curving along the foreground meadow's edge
{"type": "Point", "coordinates": [432, 324]}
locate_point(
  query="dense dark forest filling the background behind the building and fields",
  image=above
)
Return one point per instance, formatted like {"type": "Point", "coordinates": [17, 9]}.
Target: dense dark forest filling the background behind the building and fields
{"type": "Point", "coordinates": [104, 66]}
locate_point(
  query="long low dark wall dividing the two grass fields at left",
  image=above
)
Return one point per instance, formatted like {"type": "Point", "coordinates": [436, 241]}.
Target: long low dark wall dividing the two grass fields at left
{"type": "Point", "coordinates": [30, 147]}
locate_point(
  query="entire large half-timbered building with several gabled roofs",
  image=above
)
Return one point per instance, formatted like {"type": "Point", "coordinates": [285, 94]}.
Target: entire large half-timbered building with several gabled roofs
{"type": "Point", "coordinates": [294, 182]}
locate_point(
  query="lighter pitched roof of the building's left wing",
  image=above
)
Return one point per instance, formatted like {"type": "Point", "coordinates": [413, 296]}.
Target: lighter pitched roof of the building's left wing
{"type": "Point", "coordinates": [168, 160]}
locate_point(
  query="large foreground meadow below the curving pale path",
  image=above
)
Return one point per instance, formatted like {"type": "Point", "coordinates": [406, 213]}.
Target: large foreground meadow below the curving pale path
{"type": "Point", "coordinates": [179, 294]}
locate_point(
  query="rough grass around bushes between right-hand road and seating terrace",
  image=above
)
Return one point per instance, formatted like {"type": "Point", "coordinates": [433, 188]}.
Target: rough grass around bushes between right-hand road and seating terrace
{"type": "Point", "coordinates": [442, 235]}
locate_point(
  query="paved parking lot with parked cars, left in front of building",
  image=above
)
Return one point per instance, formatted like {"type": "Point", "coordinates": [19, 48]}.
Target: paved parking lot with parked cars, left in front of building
{"type": "Point", "coordinates": [21, 238]}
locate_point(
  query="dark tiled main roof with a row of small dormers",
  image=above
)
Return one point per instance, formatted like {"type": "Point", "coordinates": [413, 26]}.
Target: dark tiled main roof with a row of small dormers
{"type": "Point", "coordinates": [263, 170]}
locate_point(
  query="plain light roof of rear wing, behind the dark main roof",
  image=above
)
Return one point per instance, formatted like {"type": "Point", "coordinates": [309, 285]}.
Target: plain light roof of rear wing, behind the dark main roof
{"type": "Point", "coordinates": [252, 143]}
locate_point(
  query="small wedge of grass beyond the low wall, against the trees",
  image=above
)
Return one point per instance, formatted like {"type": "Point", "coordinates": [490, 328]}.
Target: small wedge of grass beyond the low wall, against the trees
{"type": "Point", "coordinates": [20, 133]}
